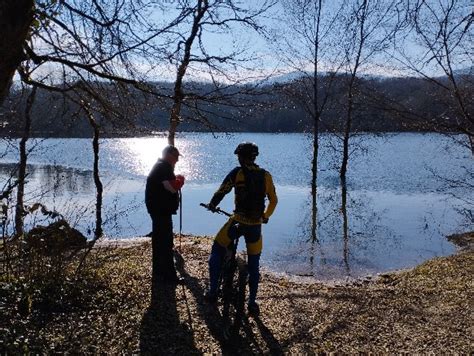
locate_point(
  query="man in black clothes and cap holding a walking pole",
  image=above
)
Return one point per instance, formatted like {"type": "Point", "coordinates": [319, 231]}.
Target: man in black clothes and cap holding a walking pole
{"type": "Point", "coordinates": [162, 201]}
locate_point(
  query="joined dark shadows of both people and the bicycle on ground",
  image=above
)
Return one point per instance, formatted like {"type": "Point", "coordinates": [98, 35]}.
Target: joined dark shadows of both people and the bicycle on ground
{"type": "Point", "coordinates": [162, 332]}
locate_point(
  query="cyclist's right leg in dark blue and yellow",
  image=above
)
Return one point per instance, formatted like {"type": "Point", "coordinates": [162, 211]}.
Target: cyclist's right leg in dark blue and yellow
{"type": "Point", "coordinates": [253, 239]}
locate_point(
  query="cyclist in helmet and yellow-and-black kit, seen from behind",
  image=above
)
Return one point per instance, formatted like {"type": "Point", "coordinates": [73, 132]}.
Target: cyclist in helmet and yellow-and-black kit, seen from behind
{"type": "Point", "coordinates": [252, 185]}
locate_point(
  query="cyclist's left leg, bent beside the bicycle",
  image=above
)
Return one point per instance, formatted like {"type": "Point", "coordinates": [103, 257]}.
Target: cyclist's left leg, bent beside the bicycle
{"type": "Point", "coordinates": [223, 238]}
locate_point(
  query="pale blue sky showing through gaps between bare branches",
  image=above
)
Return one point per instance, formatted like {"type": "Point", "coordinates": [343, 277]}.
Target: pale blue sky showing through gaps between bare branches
{"type": "Point", "coordinates": [268, 56]}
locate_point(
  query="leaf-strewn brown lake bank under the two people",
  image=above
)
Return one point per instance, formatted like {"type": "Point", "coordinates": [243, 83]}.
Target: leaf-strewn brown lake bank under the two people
{"type": "Point", "coordinates": [425, 309]}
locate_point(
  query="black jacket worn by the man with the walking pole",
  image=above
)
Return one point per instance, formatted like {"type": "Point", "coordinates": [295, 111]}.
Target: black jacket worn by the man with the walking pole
{"type": "Point", "coordinates": [158, 200]}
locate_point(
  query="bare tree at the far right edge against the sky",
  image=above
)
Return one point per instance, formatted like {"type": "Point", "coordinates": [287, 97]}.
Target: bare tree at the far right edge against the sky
{"type": "Point", "coordinates": [441, 32]}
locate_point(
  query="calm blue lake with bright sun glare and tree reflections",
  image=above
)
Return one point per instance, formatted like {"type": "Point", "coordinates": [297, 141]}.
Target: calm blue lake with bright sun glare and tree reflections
{"type": "Point", "coordinates": [406, 192]}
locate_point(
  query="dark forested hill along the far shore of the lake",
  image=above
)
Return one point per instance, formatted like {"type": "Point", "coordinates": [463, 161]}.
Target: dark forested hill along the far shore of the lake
{"type": "Point", "coordinates": [381, 104]}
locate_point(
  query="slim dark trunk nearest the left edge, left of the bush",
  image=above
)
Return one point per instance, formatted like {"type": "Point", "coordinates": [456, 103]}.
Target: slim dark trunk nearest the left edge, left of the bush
{"type": "Point", "coordinates": [19, 209]}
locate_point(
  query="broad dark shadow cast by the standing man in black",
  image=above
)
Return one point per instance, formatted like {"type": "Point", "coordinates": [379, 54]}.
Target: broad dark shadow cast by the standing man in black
{"type": "Point", "coordinates": [161, 331]}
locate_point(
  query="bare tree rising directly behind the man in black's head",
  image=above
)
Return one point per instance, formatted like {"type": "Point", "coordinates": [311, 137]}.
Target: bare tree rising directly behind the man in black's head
{"type": "Point", "coordinates": [192, 53]}
